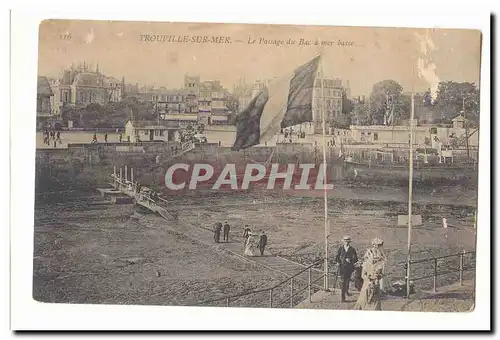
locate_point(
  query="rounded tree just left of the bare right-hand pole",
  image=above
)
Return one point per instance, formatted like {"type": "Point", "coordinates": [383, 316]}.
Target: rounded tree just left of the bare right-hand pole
{"type": "Point", "coordinates": [384, 95]}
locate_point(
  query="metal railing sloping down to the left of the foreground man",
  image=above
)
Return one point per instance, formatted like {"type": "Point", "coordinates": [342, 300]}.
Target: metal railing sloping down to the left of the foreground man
{"type": "Point", "coordinates": [288, 301]}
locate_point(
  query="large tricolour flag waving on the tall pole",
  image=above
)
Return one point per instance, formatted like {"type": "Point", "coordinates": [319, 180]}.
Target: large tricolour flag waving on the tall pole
{"type": "Point", "coordinates": [284, 102]}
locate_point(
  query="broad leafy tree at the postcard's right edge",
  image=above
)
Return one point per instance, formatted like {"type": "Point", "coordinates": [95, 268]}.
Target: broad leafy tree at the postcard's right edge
{"type": "Point", "coordinates": [453, 97]}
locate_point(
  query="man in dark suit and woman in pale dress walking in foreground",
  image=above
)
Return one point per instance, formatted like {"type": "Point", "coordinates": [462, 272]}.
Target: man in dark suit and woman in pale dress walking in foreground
{"type": "Point", "coordinates": [369, 273]}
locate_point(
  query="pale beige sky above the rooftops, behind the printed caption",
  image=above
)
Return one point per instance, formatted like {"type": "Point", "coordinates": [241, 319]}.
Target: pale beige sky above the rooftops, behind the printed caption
{"type": "Point", "coordinates": [375, 53]}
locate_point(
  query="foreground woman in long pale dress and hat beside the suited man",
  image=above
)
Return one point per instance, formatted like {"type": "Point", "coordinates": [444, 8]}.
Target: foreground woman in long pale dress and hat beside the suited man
{"type": "Point", "coordinates": [370, 296]}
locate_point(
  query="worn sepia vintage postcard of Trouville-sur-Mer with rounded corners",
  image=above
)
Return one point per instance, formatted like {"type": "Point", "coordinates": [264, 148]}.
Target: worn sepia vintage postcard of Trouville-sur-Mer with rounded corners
{"type": "Point", "coordinates": [262, 166]}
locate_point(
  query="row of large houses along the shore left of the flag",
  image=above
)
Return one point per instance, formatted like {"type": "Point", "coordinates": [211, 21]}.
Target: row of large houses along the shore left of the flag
{"type": "Point", "coordinates": [81, 85]}
